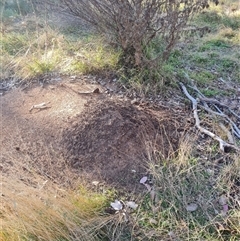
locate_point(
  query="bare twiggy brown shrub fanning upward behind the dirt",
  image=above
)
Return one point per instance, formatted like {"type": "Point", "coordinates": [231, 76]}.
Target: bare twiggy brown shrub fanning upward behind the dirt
{"type": "Point", "coordinates": [135, 25]}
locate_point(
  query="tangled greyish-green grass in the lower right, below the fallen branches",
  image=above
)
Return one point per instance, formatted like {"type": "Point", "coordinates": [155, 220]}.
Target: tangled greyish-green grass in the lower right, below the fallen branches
{"type": "Point", "coordinates": [184, 180]}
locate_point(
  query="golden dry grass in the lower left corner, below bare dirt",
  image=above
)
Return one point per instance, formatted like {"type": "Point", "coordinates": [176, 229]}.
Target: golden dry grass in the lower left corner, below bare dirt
{"type": "Point", "coordinates": [37, 214]}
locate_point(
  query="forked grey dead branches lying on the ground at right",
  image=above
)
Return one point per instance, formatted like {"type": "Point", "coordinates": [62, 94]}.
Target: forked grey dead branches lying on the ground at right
{"type": "Point", "coordinates": [195, 103]}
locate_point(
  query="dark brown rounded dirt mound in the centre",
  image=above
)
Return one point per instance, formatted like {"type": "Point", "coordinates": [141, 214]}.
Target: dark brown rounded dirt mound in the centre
{"type": "Point", "coordinates": [113, 139]}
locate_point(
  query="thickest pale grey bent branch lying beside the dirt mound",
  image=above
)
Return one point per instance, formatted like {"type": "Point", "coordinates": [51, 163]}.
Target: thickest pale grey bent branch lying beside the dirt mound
{"type": "Point", "coordinates": [222, 143]}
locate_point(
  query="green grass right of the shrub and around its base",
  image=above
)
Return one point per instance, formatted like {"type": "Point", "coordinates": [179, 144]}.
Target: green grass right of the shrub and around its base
{"type": "Point", "coordinates": [205, 59]}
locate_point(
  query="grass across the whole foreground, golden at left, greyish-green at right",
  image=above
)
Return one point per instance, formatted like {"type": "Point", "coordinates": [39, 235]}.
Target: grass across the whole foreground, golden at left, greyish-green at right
{"type": "Point", "coordinates": [49, 212]}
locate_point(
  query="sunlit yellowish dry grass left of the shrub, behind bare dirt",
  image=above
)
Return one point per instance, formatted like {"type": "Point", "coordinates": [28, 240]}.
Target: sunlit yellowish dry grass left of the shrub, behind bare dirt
{"type": "Point", "coordinates": [29, 53]}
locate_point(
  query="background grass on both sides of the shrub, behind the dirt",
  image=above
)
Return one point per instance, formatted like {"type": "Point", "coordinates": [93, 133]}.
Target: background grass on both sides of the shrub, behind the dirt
{"type": "Point", "coordinates": [31, 51]}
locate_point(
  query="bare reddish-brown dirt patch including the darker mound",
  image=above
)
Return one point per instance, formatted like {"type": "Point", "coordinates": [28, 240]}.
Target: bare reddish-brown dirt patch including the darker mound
{"type": "Point", "coordinates": [81, 134]}
